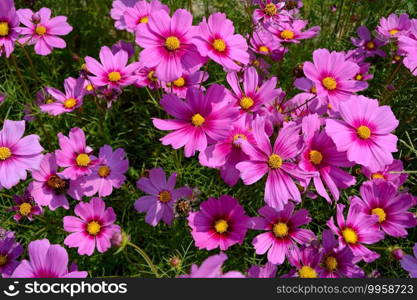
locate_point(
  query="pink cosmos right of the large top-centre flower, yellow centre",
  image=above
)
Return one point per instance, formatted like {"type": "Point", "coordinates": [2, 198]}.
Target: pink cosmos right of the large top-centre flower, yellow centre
{"type": "Point", "coordinates": [216, 39]}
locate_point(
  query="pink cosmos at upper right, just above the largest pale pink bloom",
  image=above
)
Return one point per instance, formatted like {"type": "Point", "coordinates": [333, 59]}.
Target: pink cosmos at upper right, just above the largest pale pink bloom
{"type": "Point", "coordinates": [332, 75]}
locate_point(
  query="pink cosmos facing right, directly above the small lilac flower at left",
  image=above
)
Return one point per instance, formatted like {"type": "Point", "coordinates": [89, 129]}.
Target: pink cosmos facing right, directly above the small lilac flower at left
{"type": "Point", "coordinates": [74, 155]}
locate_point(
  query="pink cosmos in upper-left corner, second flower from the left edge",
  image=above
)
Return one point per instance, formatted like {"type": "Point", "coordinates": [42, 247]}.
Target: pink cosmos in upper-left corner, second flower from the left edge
{"type": "Point", "coordinates": [43, 31]}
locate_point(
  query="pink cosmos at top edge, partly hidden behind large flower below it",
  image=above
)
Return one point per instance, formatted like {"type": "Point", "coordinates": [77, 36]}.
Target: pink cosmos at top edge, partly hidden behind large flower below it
{"type": "Point", "coordinates": [141, 12]}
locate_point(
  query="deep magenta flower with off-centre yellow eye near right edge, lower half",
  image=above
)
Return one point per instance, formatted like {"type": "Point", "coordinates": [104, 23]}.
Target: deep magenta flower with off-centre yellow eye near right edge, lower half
{"type": "Point", "coordinates": [380, 198]}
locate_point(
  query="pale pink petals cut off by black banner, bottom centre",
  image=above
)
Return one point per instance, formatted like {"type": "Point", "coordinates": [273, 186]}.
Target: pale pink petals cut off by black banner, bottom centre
{"type": "Point", "coordinates": [212, 268]}
